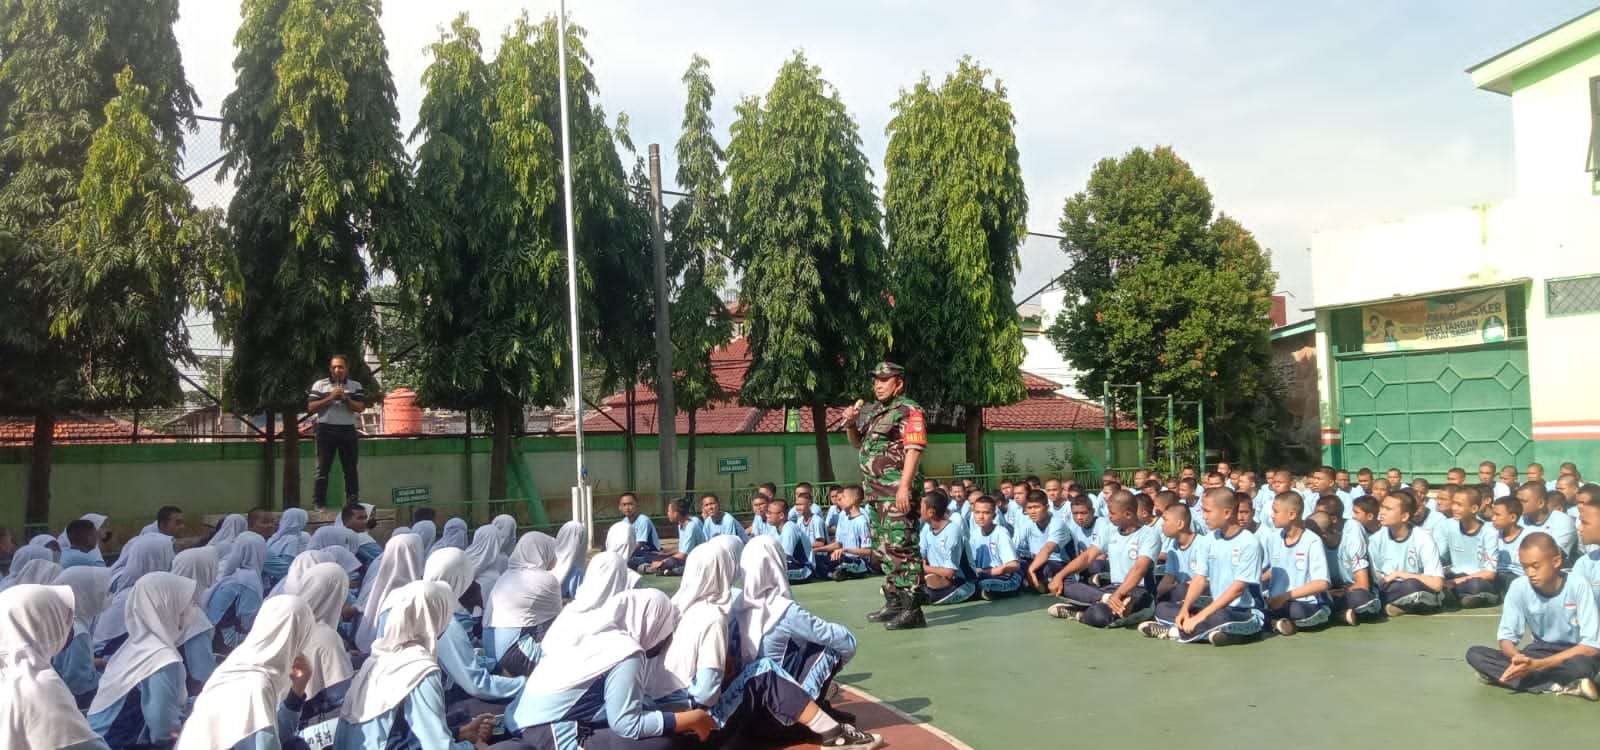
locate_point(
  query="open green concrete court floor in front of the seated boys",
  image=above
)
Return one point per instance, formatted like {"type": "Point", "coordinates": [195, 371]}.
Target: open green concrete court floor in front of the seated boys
{"type": "Point", "coordinates": [1006, 676]}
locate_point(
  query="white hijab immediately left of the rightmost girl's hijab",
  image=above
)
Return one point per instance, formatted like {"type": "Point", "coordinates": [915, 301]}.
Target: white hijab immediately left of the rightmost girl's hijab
{"type": "Point", "coordinates": [705, 604]}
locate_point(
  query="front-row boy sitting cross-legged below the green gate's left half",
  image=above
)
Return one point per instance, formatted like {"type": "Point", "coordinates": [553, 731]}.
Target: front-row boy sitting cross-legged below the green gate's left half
{"type": "Point", "coordinates": [1406, 561]}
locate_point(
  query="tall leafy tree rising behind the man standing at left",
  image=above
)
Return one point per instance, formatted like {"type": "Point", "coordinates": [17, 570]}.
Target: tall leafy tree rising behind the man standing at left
{"type": "Point", "coordinates": [314, 150]}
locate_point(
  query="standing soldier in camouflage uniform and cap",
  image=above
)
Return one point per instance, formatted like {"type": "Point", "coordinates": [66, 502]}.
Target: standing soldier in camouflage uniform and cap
{"type": "Point", "coordinates": [892, 436]}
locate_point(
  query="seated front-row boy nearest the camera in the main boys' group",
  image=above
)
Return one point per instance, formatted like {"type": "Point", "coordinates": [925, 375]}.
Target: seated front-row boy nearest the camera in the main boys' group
{"type": "Point", "coordinates": [1231, 573]}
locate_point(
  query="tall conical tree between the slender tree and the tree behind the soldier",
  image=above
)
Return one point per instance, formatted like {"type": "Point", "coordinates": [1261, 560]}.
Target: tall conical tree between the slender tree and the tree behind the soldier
{"type": "Point", "coordinates": [804, 225]}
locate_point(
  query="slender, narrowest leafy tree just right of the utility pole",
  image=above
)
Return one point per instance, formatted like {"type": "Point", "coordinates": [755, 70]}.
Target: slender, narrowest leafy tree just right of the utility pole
{"type": "Point", "coordinates": [695, 258]}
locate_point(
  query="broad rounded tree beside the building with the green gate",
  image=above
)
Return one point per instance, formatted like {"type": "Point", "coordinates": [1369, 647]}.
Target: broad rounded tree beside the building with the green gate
{"type": "Point", "coordinates": [1159, 290]}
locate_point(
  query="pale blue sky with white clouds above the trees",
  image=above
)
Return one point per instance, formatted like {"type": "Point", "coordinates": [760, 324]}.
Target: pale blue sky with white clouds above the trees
{"type": "Point", "coordinates": [1298, 116]}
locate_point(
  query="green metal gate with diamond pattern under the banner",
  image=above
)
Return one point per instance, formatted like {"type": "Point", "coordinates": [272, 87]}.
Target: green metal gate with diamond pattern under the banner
{"type": "Point", "coordinates": [1430, 412]}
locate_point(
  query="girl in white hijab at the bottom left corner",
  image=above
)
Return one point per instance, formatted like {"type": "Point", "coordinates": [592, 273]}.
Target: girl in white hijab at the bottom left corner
{"type": "Point", "coordinates": [38, 711]}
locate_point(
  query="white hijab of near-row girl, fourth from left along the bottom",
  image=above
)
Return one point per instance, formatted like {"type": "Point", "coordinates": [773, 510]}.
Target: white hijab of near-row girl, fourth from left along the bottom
{"type": "Point", "coordinates": [406, 655]}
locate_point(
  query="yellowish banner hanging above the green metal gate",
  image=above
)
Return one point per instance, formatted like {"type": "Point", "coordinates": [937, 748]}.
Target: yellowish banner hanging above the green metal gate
{"type": "Point", "coordinates": [1458, 321]}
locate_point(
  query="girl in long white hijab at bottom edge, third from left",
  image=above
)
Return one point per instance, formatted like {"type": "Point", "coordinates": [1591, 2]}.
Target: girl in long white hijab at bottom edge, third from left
{"type": "Point", "coordinates": [255, 698]}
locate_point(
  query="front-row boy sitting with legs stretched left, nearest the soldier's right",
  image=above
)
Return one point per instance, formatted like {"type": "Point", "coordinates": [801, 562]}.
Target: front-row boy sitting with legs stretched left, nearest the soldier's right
{"type": "Point", "coordinates": [1132, 554]}
